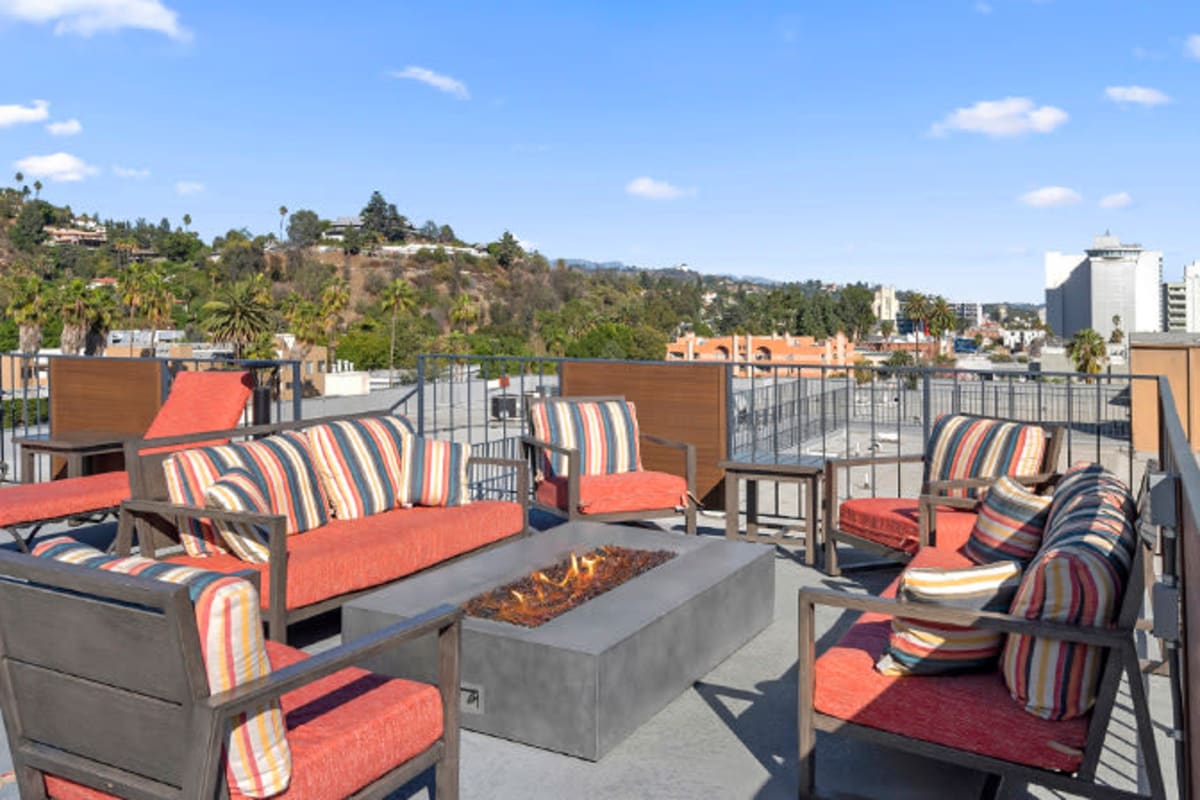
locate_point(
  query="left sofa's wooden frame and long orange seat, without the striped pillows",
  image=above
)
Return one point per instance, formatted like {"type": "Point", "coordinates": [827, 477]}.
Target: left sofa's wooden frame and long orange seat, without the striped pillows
{"type": "Point", "coordinates": [319, 570]}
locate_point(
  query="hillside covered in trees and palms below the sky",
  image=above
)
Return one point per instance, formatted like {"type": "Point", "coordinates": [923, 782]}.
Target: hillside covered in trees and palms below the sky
{"type": "Point", "coordinates": [379, 293]}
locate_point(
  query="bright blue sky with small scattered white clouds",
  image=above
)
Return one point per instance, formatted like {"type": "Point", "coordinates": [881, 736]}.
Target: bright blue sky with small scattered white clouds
{"type": "Point", "coordinates": [939, 146]}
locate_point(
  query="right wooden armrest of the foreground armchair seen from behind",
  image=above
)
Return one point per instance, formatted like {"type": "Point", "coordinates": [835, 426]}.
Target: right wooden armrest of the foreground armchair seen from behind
{"type": "Point", "coordinates": [445, 621]}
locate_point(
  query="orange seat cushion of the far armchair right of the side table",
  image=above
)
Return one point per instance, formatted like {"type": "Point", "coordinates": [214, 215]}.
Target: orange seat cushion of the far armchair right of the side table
{"type": "Point", "coordinates": [893, 522]}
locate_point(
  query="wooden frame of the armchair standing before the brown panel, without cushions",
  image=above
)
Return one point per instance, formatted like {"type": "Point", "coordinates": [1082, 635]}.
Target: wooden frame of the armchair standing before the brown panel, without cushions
{"type": "Point", "coordinates": [535, 450]}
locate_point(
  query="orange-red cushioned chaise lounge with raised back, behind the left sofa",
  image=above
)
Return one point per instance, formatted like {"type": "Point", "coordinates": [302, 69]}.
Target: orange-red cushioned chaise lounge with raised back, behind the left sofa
{"type": "Point", "coordinates": [197, 402]}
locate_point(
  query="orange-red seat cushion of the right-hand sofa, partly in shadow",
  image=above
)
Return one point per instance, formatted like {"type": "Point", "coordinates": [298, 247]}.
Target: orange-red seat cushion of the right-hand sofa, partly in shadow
{"type": "Point", "coordinates": [969, 712]}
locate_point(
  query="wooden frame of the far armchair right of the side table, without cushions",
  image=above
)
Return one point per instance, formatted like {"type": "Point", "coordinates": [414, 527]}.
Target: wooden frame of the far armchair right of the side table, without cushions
{"type": "Point", "coordinates": [929, 492]}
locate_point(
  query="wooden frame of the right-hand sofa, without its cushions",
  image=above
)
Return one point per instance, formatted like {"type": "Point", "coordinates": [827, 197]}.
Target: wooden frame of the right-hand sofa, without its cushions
{"type": "Point", "coordinates": [1121, 658]}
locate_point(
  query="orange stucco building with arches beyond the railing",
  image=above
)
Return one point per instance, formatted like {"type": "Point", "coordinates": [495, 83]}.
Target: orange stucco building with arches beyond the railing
{"type": "Point", "coordinates": [787, 354]}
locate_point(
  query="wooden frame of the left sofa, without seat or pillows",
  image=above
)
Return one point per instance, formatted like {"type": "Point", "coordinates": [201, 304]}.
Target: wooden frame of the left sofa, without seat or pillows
{"type": "Point", "coordinates": [154, 521]}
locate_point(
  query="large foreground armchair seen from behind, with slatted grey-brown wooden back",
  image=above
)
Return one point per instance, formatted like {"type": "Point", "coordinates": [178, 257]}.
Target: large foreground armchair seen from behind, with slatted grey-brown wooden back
{"type": "Point", "coordinates": [106, 693]}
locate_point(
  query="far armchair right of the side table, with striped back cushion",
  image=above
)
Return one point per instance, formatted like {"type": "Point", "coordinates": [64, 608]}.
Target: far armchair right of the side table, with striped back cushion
{"type": "Point", "coordinates": [963, 458]}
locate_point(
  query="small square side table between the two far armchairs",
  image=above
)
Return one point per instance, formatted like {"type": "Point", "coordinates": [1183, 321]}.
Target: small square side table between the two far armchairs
{"type": "Point", "coordinates": [803, 471]}
